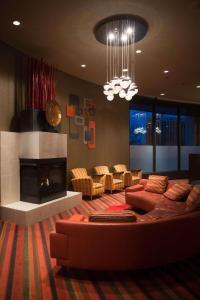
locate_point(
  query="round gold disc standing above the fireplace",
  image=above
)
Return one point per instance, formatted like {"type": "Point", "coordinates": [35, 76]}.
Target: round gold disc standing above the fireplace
{"type": "Point", "coordinates": [53, 113]}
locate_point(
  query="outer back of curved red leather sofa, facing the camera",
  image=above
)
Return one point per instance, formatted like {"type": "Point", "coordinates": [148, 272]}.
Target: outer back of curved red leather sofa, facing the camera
{"type": "Point", "coordinates": [77, 243]}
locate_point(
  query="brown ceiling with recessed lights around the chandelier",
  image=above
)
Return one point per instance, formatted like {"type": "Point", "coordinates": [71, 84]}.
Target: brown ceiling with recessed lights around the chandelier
{"type": "Point", "coordinates": [61, 32]}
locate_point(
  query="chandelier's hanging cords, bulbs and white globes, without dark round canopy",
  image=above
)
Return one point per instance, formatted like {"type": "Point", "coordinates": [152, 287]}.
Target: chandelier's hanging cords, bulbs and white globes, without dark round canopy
{"type": "Point", "coordinates": [120, 63]}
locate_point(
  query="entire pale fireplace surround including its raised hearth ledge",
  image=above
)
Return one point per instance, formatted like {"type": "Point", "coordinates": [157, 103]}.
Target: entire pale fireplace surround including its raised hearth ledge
{"type": "Point", "coordinates": [35, 145]}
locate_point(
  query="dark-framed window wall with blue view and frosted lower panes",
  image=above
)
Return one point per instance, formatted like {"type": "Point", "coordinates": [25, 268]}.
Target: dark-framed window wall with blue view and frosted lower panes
{"type": "Point", "coordinates": [163, 134]}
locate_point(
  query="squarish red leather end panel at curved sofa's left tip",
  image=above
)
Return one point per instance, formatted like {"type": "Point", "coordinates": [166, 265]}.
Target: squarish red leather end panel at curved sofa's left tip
{"type": "Point", "coordinates": [58, 245]}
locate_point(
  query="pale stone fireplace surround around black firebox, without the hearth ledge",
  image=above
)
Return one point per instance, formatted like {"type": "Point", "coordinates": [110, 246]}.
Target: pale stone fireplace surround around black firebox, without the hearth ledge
{"type": "Point", "coordinates": [31, 145]}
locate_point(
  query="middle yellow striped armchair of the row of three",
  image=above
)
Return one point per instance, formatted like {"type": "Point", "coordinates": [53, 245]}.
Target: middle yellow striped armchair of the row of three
{"type": "Point", "coordinates": [112, 182]}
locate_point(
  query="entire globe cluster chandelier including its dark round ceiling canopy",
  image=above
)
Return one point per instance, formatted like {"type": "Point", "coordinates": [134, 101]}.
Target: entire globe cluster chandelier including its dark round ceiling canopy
{"type": "Point", "coordinates": [120, 33]}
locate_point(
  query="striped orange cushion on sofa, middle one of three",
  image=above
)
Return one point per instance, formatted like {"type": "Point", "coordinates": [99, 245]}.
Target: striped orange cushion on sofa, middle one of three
{"type": "Point", "coordinates": [178, 191]}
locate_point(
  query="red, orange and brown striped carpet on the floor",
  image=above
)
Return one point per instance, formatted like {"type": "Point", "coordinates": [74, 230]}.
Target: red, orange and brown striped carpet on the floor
{"type": "Point", "coordinates": [27, 272]}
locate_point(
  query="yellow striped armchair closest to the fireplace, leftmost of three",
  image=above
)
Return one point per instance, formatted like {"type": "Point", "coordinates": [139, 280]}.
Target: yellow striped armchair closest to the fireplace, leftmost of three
{"type": "Point", "coordinates": [85, 184]}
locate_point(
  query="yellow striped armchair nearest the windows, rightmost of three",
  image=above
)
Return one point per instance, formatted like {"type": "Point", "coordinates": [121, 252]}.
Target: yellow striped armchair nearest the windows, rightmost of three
{"type": "Point", "coordinates": [129, 177]}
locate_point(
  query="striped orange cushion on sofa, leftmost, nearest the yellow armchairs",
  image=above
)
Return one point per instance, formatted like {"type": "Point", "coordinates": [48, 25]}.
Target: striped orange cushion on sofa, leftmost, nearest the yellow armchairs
{"type": "Point", "coordinates": [156, 184]}
